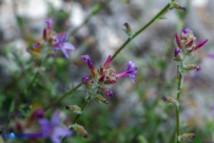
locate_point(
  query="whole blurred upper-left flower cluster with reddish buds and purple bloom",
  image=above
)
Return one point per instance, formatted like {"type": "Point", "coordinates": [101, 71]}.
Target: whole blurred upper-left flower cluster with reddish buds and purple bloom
{"type": "Point", "coordinates": [58, 41]}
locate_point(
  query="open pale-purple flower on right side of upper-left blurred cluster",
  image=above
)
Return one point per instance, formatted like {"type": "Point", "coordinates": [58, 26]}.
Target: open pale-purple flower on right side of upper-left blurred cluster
{"type": "Point", "coordinates": [62, 45]}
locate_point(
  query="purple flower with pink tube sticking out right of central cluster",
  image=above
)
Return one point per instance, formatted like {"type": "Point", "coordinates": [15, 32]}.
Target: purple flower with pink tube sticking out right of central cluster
{"type": "Point", "coordinates": [130, 71]}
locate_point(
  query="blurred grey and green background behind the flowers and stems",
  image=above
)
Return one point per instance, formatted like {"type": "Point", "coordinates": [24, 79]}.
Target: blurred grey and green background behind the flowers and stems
{"type": "Point", "coordinates": [136, 112]}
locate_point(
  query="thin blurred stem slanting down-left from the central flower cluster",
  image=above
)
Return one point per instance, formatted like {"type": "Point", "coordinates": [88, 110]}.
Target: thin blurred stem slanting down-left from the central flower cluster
{"type": "Point", "coordinates": [63, 96]}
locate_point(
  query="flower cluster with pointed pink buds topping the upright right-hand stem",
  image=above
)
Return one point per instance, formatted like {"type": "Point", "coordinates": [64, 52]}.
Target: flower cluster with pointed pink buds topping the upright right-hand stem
{"type": "Point", "coordinates": [186, 45]}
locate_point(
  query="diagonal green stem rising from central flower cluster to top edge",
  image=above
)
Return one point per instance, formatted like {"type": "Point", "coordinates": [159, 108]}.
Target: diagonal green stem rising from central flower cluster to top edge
{"type": "Point", "coordinates": [158, 15]}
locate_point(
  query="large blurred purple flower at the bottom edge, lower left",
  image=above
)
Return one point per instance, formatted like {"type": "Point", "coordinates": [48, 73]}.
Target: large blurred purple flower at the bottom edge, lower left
{"type": "Point", "coordinates": [52, 129]}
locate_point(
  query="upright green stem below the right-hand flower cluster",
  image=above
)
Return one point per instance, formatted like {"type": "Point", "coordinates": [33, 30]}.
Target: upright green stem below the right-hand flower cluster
{"type": "Point", "coordinates": [179, 88]}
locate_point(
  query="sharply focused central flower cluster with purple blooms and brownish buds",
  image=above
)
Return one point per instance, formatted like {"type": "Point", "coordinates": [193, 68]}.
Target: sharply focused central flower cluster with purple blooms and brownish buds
{"type": "Point", "coordinates": [106, 75]}
